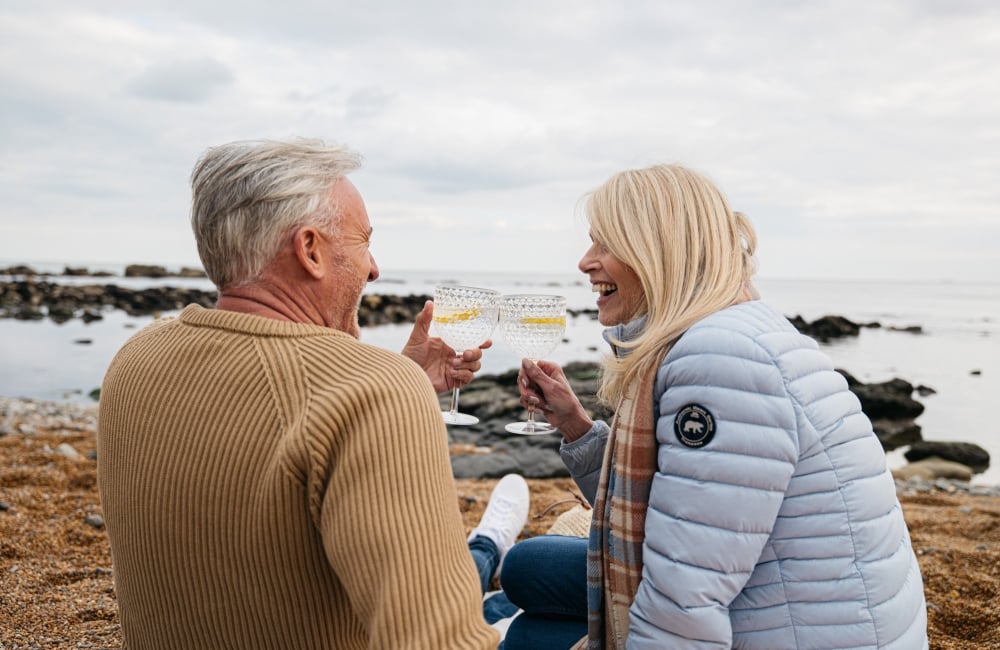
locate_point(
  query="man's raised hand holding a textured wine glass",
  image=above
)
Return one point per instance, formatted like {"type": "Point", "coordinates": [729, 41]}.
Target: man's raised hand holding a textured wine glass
{"type": "Point", "coordinates": [443, 366]}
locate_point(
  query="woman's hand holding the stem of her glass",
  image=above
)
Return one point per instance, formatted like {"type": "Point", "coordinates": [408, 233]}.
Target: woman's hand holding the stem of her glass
{"type": "Point", "coordinates": [544, 386]}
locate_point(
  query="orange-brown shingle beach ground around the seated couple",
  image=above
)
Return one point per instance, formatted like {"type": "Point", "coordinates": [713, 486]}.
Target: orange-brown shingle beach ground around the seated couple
{"type": "Point", "coordinates": [56, 587]}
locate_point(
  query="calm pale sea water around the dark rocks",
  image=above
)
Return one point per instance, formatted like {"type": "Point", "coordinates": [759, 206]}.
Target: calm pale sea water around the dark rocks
{"type": "Point", "coordinates": [957, 354]}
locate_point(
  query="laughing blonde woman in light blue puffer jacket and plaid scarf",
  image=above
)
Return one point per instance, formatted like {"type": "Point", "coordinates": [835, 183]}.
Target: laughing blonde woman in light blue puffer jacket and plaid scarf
{"type": "Point", "coordinates": [741, 498]}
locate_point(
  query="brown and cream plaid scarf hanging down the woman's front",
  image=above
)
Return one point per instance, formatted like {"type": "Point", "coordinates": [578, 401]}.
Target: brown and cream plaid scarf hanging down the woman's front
{"type": "Point", "coordinates": [614, 555]}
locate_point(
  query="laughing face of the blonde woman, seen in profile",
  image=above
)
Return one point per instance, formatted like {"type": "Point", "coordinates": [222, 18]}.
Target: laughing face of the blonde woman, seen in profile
{"type": "Point", "coordinates": [621, 297]}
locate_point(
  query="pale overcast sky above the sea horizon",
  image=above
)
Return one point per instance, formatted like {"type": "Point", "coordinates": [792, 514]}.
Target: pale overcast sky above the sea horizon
{"type": "Point", "coordinates": [861, 137]}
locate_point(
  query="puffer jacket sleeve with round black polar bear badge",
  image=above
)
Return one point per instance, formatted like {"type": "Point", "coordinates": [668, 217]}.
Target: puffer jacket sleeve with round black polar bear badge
{"type": "Point", "coordinates": [714, 500]}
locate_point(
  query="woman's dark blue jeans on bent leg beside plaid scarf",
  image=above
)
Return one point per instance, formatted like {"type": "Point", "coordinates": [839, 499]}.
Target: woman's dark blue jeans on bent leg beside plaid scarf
{"type": "Point", "coordinates": [546, 576]}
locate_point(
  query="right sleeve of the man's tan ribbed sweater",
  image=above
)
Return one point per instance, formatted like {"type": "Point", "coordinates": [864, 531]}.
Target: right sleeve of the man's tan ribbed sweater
{"type": "Point", "coordinates": [390, 523]}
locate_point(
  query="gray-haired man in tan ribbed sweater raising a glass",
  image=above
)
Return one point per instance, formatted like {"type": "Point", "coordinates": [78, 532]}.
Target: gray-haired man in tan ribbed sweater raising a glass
{"type": "Point", "coordinates": [268, 480]}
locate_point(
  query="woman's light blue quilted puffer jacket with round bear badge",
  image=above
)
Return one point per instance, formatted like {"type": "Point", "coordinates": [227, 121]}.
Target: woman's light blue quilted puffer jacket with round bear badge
{"type": "Point", "coordinates": [783, 530]}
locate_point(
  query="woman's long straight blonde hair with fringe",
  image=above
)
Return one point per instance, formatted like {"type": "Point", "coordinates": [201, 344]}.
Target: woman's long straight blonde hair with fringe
{"type": "Point", "coordinates": [692, 253]}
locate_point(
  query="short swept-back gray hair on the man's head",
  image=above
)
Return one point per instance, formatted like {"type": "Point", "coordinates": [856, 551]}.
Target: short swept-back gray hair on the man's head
{"type": "Point", "coordinates": [248, 196]}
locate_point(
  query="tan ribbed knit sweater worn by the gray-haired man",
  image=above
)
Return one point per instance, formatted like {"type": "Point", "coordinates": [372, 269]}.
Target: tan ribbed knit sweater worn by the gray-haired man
{"type": "Point", "coordinates": [277, 485]}
